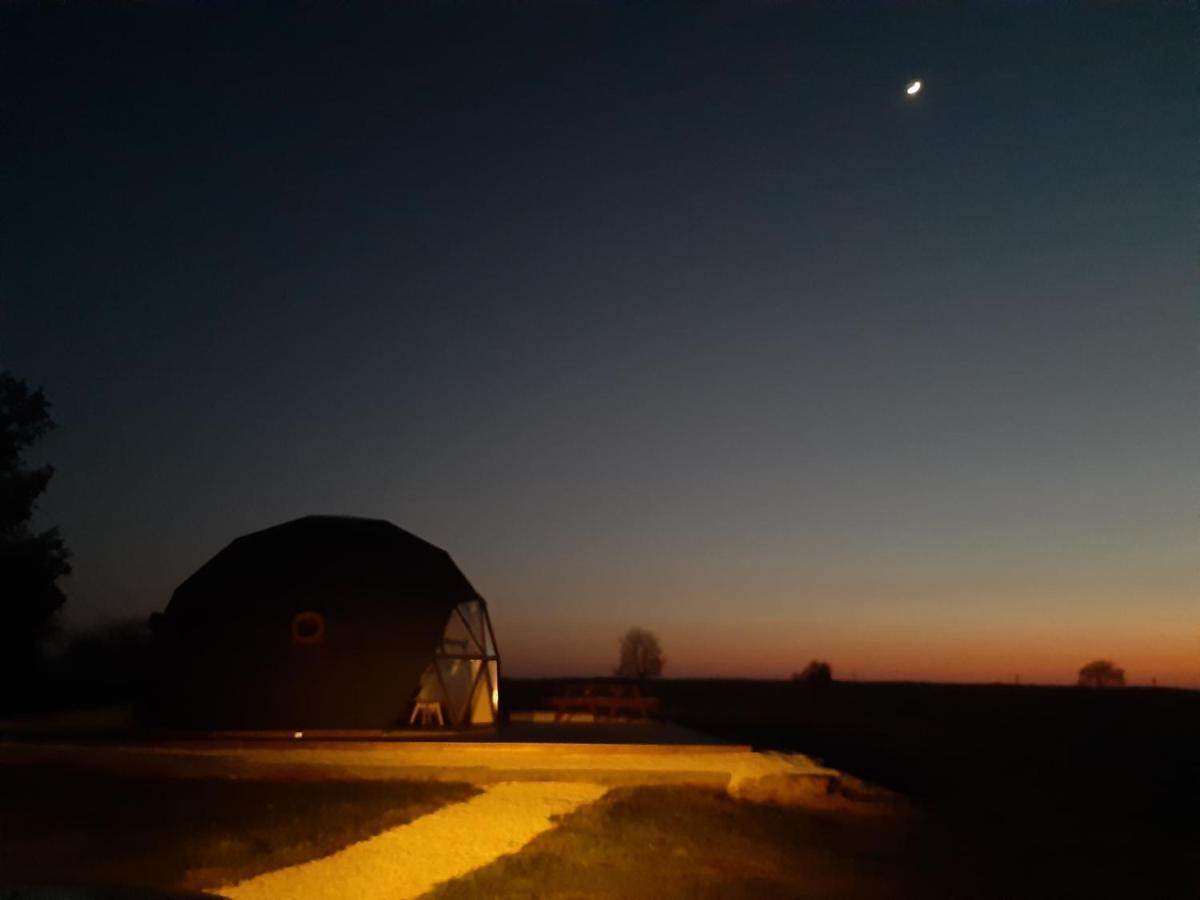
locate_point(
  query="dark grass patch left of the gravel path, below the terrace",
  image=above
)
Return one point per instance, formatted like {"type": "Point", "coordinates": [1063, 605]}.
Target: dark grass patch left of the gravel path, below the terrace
{"type": "Point", "coordinates": [98, 829]}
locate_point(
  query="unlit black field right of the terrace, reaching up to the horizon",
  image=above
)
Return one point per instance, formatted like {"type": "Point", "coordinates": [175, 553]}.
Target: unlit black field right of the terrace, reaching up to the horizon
{"type": "Point", "coordinates": [1027, 793]}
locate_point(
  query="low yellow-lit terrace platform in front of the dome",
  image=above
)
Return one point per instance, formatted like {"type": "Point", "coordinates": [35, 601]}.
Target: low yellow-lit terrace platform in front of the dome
{"type": "Point", "coordinates": [609, 754]}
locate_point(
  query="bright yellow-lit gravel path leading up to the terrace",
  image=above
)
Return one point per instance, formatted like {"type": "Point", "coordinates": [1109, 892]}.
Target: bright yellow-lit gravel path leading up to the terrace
{"type": "Point", "coordinates": [447, 844]}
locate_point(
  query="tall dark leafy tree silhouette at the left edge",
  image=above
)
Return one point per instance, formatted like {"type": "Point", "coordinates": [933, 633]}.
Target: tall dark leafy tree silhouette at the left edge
{"type": "Point", "coordinates": [31, 563]}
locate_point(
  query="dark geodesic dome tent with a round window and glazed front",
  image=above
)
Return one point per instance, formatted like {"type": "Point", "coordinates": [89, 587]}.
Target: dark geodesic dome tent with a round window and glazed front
{"type": "Point", "coordinates": [326, 622]}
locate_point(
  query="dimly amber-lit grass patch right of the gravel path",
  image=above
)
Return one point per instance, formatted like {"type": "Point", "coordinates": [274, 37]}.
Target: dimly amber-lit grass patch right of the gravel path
{"type": "Point", "coordinates": [693, 843]}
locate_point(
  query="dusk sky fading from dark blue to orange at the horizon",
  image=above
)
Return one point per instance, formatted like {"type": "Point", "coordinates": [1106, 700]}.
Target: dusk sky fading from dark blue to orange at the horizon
{"type": "Point", "coordinates": [686, 319]}
